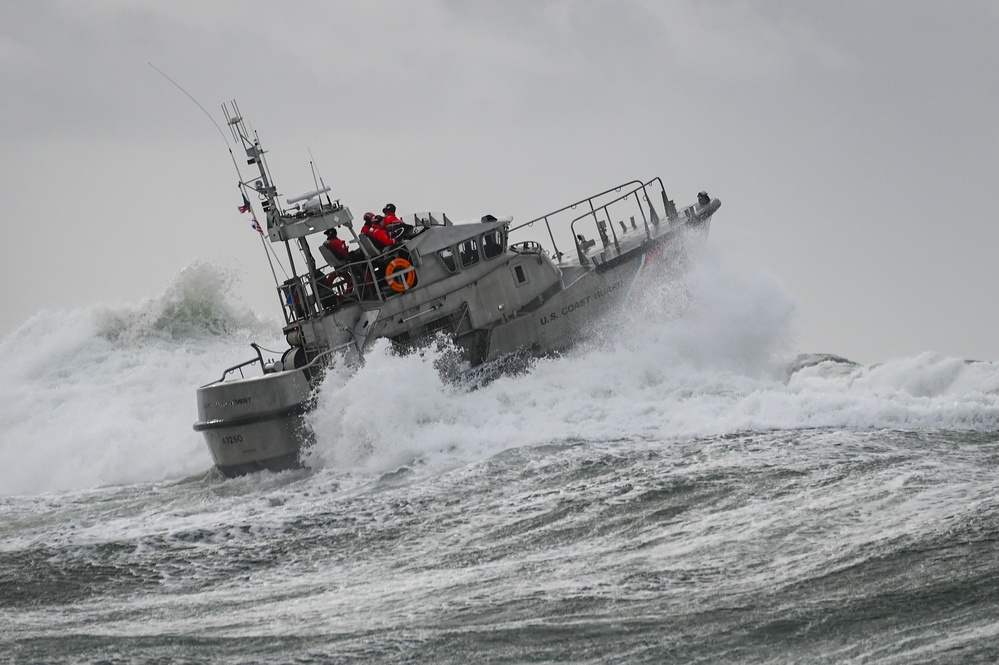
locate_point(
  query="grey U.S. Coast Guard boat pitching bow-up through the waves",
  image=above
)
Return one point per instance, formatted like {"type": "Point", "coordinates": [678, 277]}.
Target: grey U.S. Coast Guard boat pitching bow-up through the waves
{"type": "Point", "coordinates": [471, 282]}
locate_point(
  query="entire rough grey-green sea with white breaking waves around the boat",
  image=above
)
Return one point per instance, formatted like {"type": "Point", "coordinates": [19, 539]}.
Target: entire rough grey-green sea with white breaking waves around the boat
{"type": "Point", "coordinates": [683, 488]}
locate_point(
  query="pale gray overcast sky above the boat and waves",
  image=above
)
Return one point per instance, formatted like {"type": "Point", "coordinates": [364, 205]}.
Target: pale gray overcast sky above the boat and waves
{"type": "Point", "coordinates": [854, 145]}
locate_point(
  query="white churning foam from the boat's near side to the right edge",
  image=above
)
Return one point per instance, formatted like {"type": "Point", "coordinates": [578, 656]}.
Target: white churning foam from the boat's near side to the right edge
{"type": "Point", "coordinates": [720, 368]}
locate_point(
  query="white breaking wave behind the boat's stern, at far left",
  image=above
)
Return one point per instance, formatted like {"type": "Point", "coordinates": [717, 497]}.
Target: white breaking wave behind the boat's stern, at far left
{"type": "Point", "coordinates": [105, 395]}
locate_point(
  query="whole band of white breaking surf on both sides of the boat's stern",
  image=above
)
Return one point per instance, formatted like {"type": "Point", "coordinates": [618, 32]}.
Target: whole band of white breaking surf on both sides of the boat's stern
{"type": "Point", "coordinates": [106, 395]}
